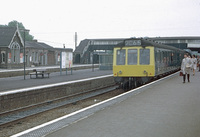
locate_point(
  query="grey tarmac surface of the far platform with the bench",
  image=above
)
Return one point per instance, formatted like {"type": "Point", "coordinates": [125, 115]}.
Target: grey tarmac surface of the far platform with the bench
{"type": "Point", "coordinates": [12, 83]}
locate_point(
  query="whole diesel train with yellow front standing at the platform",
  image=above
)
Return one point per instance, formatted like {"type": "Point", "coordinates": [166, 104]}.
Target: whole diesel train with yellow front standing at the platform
{"type": "Point", "coordinates": [138, 61]}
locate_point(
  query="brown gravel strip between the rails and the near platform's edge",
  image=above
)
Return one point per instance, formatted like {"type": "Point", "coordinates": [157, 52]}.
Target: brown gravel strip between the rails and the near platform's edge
{"type": "Point", "coordinates": [33, 121]}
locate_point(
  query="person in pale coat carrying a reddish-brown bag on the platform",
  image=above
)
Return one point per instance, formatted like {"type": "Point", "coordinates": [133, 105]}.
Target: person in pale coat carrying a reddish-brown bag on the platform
{"type": "Point", "coordinates": [185, 67]}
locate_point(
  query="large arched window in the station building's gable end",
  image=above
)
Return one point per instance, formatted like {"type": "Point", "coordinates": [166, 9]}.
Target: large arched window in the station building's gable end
{"type": "Point", "coordinates": [15, 53]}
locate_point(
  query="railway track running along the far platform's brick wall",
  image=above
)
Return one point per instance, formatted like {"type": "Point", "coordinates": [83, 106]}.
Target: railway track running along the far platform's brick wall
{"type": "Point", "coordinates": [16, 115]}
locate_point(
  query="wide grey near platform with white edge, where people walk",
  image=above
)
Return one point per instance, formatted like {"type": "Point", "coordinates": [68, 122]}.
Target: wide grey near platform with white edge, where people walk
{"type": "Point", "coordinates": [164, 108]}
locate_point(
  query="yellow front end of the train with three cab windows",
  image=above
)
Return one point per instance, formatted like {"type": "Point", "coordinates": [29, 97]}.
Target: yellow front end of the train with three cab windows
{"type": "Point", "coordinates": [134, 61]}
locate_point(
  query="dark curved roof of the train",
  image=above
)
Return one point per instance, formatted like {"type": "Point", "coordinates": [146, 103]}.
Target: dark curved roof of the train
{"type": "Point", "coordinates": [144, 42]}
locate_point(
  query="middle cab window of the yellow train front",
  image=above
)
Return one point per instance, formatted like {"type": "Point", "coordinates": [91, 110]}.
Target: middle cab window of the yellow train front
{"type": "Point", "coordinates": [132, 56]}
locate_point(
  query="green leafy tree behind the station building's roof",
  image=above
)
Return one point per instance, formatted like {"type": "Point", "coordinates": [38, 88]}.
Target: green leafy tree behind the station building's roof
{"type": "Point", "coordinates": [14, 23]}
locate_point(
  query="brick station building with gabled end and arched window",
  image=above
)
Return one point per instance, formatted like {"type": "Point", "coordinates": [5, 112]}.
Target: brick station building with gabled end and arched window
{"type": "Point", "coordinates": [36, 53]}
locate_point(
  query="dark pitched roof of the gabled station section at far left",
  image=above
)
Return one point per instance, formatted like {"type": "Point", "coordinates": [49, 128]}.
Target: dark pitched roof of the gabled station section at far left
{"type": "Point", "coordinates": [6, 35]}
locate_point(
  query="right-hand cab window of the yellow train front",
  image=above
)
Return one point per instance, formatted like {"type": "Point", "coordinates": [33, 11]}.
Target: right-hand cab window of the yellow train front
{"type": "Point", "coordinates": [144, 56]}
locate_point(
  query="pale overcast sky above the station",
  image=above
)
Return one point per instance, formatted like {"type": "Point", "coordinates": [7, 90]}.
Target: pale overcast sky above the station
{"type": "Point", "coordinates": [56, 21]}
